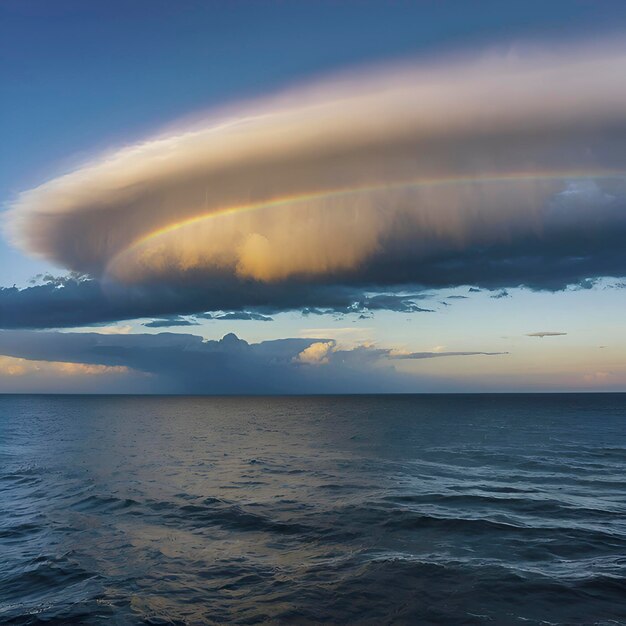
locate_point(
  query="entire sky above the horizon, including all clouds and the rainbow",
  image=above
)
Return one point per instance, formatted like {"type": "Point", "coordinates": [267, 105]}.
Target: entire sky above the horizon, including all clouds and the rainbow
{"type": "Point", "coordinates": [312, 197]}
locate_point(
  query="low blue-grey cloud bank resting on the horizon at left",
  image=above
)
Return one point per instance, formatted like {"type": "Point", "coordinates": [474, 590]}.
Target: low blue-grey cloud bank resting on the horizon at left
{"type": "Point", "coordinates": [182, 363]}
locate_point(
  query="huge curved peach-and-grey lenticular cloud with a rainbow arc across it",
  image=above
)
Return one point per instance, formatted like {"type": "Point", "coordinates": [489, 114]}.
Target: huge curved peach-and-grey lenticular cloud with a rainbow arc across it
{"type": "Point", "coordinates": [499, 169]}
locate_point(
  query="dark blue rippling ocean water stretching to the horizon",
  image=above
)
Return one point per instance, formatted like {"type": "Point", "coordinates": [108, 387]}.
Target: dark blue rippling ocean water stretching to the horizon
{"type": "Point", "coordinates": [497, 509]}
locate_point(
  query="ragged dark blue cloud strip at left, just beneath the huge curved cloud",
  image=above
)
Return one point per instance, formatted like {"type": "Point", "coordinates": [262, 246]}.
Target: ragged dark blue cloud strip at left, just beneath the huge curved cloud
{"type": "Point", "coordinates": [80, 301]}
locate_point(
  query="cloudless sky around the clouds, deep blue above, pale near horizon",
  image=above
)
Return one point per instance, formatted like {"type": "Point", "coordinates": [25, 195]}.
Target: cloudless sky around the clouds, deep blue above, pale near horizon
{"type": "Point", "coordinates": [81, 79]}
